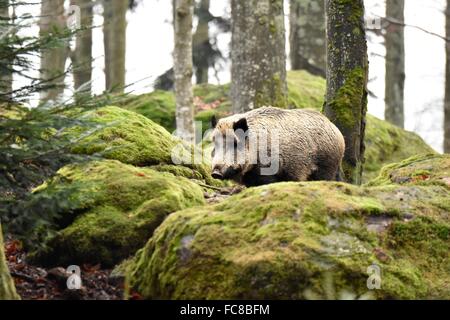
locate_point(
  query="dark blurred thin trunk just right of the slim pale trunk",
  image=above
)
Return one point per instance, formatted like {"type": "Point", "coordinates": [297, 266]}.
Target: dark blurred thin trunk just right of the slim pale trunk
{"type": "Point", "coordinates": [201, 45]}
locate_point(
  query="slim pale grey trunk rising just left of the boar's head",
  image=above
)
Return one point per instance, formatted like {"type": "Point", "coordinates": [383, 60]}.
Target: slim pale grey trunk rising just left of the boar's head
{"type": "Point", "coordinates": [182, 61]}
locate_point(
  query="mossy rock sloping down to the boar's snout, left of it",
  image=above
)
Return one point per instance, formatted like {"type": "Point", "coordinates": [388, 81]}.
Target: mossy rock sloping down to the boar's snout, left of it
{"type": "Point", "coordinates": [119, 134]}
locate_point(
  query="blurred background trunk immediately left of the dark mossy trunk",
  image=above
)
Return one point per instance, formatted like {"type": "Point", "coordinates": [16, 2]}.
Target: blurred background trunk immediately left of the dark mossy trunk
{"type": "Point", "coordinates": [307, 36]}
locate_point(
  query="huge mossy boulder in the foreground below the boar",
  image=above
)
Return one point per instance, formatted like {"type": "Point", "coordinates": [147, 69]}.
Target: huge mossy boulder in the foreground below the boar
{"type": "Point", "coordinates": [307, 241]}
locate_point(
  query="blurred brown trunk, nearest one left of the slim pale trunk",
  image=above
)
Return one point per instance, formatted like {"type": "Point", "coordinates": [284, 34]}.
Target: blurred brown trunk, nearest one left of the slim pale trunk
{"type": "Point", "coordinates": [114, 37]}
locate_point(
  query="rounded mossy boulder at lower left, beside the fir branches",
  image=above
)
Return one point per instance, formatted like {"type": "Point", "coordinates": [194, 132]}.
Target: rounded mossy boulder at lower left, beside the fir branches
{"type": "Point", "coordinates": [110, 210]}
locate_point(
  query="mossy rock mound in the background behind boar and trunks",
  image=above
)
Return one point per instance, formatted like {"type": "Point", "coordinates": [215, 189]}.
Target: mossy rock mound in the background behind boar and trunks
{"type": "Point", "coordinates": [385, 143]}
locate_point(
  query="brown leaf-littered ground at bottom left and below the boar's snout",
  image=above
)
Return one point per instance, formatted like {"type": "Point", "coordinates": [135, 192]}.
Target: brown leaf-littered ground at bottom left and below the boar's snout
{"type": "Point", "coordinates": [38, 283]}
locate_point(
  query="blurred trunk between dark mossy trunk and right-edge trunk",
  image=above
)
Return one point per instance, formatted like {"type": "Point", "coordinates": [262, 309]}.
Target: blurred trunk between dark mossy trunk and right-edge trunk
{"type": "Point", "coordinates": [395, 64]}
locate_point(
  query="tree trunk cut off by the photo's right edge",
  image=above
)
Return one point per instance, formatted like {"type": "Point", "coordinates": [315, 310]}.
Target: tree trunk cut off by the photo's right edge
{"type": "Point", "coordinates": [447, 83]}
